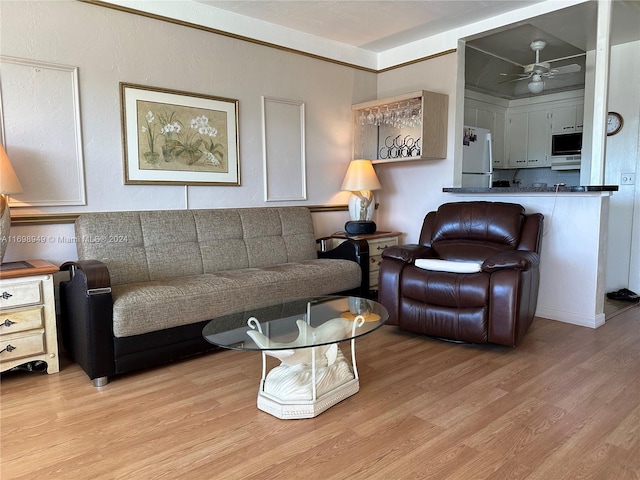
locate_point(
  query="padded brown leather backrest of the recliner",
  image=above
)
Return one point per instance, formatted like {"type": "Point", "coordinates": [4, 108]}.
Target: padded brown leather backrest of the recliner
{"type": "Point", "coordinates": [473, 231]}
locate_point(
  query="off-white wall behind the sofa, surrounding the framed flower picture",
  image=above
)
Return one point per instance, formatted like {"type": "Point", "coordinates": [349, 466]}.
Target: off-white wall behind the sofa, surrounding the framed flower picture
{"type": "Point", "coordinates": [110, 47]}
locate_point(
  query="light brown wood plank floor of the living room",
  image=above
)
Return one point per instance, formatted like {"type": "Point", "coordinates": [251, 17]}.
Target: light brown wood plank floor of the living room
{"type": "Point", "coordinates": [565, 404]}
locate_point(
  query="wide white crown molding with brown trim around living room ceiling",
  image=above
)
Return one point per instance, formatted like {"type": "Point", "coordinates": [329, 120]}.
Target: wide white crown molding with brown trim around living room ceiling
{"type": "Point", "coordinates": [229, 24]}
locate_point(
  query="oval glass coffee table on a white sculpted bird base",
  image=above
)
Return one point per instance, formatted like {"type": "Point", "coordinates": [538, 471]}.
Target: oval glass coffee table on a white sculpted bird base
{"type": "Point", "coordinates": [304, 335]}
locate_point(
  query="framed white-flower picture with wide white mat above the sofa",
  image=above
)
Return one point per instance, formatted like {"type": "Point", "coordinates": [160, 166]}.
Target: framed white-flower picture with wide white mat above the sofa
{"type": "Point", "coordinates": [178, 138]}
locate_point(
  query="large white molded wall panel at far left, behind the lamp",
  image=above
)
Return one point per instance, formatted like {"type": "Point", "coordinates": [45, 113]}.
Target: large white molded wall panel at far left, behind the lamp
{"type": "Point", "coordinates": [34, 96]}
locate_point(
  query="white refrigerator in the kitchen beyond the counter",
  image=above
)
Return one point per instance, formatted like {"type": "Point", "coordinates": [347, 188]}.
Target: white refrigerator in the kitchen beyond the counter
{"type": "Point", "coordinates": [477, 158]}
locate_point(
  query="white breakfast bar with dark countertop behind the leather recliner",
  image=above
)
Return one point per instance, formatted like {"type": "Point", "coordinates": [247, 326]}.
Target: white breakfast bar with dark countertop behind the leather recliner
{"type": "Point", "coordinates": [573, 245]}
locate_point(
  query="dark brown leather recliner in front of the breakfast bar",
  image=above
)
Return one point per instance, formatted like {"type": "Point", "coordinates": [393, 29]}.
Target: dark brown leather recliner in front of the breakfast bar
{"type": "Point", "coordinates": [493, 305]}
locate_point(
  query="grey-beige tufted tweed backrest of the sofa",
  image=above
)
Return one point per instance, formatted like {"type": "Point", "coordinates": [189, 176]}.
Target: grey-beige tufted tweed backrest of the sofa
{"type": "Point", "coordinates": [158, 245]}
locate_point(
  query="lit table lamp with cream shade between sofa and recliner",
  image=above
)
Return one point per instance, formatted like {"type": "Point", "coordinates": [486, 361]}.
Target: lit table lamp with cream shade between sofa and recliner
{"type": "Point", "coordinates": [360, 180]}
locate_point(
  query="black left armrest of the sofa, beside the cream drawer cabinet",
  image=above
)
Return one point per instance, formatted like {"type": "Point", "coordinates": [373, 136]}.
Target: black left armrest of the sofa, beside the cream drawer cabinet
{"type": "Point", "coordinates": [87, 318]}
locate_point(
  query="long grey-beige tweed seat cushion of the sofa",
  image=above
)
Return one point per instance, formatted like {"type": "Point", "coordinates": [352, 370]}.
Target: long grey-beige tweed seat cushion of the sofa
{"type": "Point", "coordinates": [156, 305]}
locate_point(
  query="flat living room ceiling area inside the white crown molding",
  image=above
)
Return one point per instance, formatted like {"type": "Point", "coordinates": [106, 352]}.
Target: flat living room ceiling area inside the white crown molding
{"type": "Point", "coordinates": [371, 25]}
